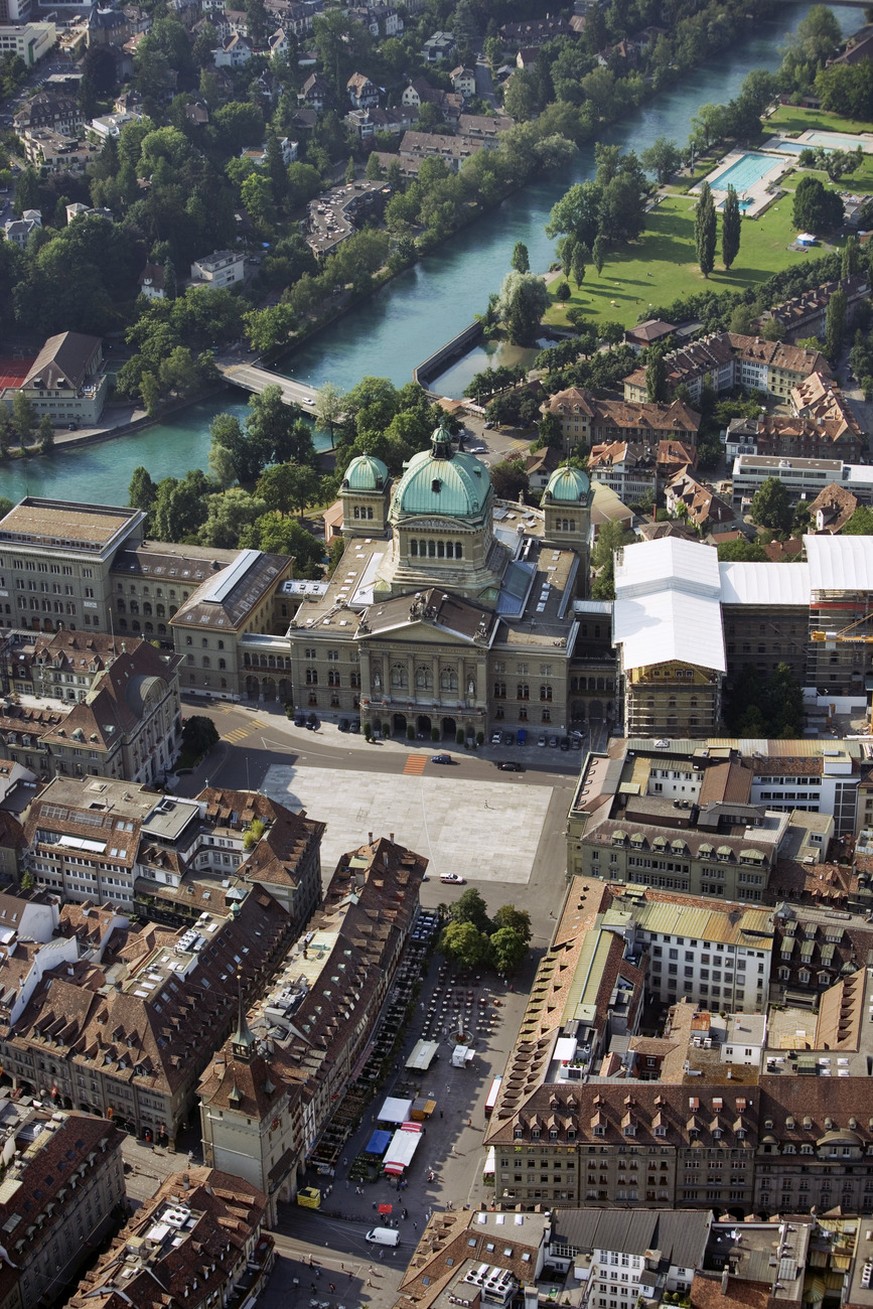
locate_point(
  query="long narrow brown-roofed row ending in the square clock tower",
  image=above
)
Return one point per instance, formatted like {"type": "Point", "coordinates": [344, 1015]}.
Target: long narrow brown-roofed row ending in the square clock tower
{"type": "Point", "coordinates": [269, 1094]}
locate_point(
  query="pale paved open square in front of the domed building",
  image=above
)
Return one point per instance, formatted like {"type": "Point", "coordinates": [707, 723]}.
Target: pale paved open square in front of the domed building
{"type": "Point", "coordinates": [488, 832]}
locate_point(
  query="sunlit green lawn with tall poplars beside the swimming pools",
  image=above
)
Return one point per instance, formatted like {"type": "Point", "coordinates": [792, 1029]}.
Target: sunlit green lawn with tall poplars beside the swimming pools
{"type": "Point", "coordinates": [663, 265]}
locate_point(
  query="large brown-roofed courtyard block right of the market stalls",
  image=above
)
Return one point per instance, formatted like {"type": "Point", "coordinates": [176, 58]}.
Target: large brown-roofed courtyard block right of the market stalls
{"type": "Point", "coordinates": [706, 1134]}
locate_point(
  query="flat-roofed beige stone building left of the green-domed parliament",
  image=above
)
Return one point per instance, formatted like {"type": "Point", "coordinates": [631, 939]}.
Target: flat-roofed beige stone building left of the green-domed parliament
{"type": "Point", "coordinates": [87, 567]}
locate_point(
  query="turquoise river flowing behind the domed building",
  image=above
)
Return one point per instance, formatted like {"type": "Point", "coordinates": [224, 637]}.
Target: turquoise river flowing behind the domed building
{"type": "Point", "coordinates": [429, 304]}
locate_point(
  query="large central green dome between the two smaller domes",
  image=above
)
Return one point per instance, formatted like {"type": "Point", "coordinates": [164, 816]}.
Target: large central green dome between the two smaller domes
{"type": "Point", "coordinates": [442, 482]}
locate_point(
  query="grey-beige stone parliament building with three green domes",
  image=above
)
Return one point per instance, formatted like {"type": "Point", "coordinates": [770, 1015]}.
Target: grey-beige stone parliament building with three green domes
{"type": "Point", "coordinates": [450, 615]}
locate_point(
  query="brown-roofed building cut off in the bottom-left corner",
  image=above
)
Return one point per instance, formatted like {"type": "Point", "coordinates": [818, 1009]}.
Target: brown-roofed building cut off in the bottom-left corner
{"type": "Point", "coordinates": [62, 1192]}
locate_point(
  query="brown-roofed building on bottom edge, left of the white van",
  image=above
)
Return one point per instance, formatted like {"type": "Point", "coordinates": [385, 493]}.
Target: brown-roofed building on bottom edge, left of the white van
{"type": "Point", "coordinates": [201, 1239]}
